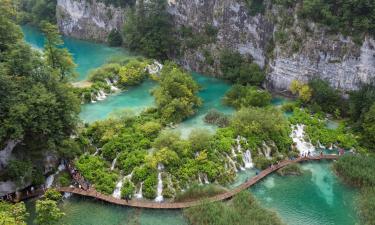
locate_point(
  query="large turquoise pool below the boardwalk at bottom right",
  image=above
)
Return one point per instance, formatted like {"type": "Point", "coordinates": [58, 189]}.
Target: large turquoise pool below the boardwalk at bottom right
{"type": "Point", "coordinates": [318, 197]}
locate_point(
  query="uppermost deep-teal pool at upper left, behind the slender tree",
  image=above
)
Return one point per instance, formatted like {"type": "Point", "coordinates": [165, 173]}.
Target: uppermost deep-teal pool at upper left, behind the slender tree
{"type": "Point", "coordinates": [87, 55]}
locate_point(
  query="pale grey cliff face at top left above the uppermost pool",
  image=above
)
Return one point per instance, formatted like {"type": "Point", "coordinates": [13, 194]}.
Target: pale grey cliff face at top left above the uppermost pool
{"type": "Point", "coordinates": [86, 19]}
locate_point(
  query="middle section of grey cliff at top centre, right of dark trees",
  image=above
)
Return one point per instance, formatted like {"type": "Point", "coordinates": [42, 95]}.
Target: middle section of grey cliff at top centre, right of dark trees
{"type": "Point", "coordinates": [237, 30]}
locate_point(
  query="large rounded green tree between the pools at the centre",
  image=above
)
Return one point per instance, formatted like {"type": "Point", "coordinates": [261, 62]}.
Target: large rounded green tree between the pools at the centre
{"type": "Point", "coordinates": [176, 96]}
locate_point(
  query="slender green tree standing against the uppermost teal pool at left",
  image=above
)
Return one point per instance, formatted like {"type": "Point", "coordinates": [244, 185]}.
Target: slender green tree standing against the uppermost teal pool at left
{"type": "Point", "coordinates": [58, 58]}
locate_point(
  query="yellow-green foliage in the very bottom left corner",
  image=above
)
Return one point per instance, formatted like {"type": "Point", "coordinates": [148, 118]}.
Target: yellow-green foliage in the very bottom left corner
{"type": "Point", "coordinates": [13, 214]}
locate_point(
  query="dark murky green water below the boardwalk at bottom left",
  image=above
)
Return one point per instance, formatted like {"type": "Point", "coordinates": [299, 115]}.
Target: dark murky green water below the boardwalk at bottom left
{"type": "Point", "coordinates": [86, 211]}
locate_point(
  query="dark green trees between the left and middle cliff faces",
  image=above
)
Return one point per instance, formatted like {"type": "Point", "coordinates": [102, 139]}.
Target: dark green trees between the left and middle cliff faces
{"type": "Point", "coordinates": [149, 30]}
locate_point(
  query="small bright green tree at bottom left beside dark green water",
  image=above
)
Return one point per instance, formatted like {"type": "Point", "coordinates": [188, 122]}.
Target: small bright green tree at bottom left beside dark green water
{"type": "Point", "coordinates": [47, 212]}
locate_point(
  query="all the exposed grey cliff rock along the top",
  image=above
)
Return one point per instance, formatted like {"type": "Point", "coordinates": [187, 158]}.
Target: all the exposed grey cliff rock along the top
{"type": "Point", "coordinates": [332, 57]}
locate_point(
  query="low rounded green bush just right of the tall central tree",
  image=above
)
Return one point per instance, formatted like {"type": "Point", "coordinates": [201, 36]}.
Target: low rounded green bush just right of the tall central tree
{"type": "Point", "coordinates": [245, 96]}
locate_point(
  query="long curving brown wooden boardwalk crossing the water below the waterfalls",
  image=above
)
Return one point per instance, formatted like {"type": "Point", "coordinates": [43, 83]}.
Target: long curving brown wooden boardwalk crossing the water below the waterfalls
{"type": "Point", "coordinates": [179, 205]}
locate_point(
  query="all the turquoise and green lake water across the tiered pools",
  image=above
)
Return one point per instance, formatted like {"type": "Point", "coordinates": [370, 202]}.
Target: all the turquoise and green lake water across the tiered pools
{"type": "Point", "coordinates": [316, 198]}
